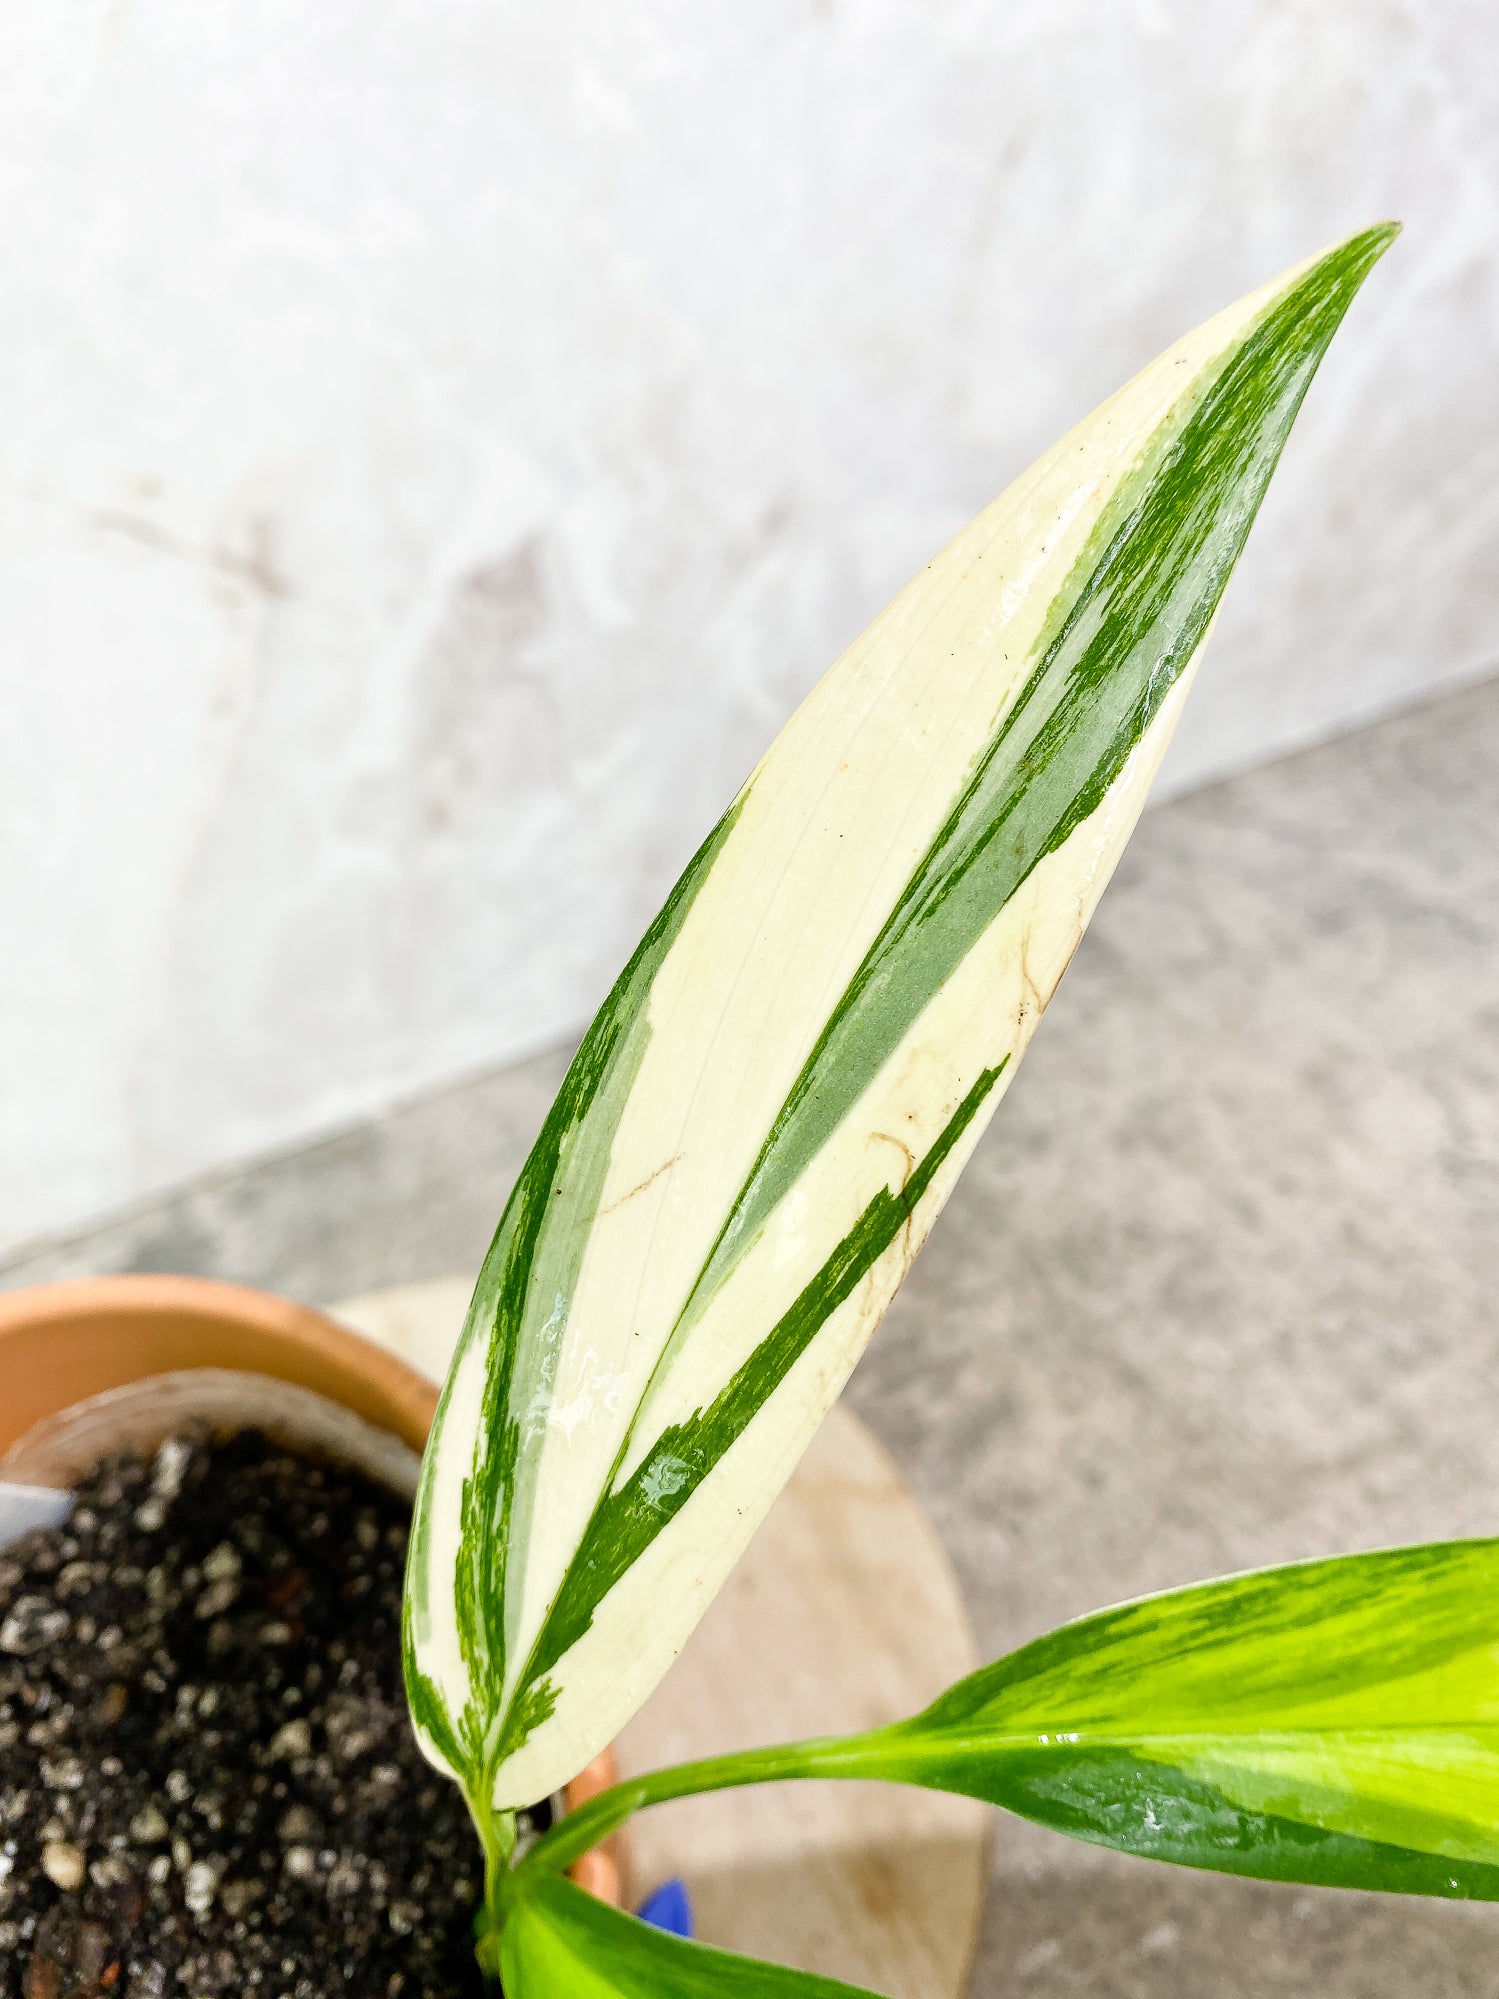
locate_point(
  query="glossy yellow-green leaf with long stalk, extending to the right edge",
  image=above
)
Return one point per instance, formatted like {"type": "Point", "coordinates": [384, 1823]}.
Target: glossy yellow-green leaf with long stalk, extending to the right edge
{"type": "Point", "coordinates": [1334, 1722]}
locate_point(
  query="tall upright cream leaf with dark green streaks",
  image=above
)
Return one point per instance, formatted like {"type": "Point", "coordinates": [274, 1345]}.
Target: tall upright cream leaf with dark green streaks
{"type": "Point", "coordinates": [780, 1092]}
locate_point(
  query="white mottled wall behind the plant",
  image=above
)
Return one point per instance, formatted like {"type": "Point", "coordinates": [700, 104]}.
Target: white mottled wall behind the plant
{"type": "Point", "coordinates": [441, 443]}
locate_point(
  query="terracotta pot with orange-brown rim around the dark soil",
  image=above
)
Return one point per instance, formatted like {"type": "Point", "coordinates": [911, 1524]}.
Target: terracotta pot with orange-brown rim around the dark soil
{"type": "Point", "coordinates": [145, 1352]}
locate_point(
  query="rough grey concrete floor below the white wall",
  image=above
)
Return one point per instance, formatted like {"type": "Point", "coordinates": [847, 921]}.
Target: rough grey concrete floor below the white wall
{"type": "Point", "coordinates": [1218, 1288]}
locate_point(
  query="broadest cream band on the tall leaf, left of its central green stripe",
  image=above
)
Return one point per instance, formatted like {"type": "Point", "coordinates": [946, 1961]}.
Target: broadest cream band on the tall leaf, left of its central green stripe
{"type": "Point", "coordinates": [830, 827]}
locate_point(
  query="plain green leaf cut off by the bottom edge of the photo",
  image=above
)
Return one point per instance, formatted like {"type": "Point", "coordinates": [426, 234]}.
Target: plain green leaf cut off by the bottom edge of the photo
{"type": "Point", "coordinates": [559, 1940]}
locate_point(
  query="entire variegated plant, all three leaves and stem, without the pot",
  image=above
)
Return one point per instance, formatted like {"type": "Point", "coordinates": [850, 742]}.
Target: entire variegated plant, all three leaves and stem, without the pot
{"type": "Point", "coordinates": [752, 1146]}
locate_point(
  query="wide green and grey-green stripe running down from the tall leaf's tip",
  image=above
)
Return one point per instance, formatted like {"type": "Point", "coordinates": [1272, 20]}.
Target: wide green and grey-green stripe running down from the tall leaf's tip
{"type": "Point", "coordinates": [1128, 623]}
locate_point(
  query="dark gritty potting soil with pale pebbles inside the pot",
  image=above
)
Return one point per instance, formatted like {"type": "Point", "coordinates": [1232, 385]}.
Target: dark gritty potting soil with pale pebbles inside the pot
{"type": "Point", "coordinates": [207, 1776]}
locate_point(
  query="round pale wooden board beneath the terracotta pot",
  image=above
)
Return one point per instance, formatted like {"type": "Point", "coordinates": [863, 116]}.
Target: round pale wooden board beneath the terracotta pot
{"type": "Point", "coordinates": [842, 1614]}
